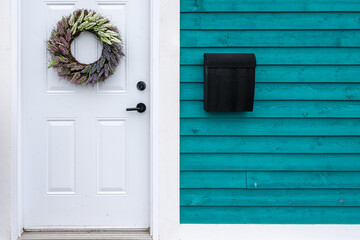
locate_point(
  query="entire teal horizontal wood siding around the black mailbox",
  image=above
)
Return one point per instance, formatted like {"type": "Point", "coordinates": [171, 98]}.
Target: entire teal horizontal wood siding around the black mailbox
{"type": "Point", "coordinates": [296, 158]}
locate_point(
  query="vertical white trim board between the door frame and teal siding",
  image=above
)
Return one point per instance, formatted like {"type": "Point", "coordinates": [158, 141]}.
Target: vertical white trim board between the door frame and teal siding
{"type": "Point", "coordinates": [168, 119]}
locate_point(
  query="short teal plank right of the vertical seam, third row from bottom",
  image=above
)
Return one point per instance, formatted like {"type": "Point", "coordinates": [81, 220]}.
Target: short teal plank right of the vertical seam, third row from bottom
{"type": "Point", "coordinates": [298, 180]}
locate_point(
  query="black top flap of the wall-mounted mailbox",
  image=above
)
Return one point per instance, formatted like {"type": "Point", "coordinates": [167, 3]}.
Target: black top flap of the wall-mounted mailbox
{"type": "Point", "coordinates": [229, 60]}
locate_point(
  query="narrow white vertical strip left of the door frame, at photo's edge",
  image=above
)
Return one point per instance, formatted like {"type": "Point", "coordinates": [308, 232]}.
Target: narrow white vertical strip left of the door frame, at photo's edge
{"type": "Point", "coordinates": [5, 120]}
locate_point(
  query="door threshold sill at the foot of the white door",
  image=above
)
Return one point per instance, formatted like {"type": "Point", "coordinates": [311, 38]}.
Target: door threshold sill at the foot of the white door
{"type": "Point", "coordinates": [128, 234]}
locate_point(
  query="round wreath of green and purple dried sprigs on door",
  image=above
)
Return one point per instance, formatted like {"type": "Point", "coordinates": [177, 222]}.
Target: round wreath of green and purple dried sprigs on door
{"type": "Point", "coordinates": [70, 27]}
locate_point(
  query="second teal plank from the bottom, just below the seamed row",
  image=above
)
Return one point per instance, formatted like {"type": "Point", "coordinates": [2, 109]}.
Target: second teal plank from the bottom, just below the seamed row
{"type": "Point", "coordinates": [269, 197]}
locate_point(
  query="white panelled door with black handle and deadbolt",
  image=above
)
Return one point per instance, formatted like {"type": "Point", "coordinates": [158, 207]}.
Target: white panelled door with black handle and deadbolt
{"type": "Point", "coordinates": [85, 158]}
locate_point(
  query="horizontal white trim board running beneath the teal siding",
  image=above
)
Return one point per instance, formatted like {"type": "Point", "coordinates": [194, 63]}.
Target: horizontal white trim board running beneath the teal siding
{"type": "Point", "coordinates": [268, 232]}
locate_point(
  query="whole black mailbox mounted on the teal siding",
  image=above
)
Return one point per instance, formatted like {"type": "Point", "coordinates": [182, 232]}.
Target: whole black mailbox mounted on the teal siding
{"type": "Point", "coordinates": [229, 82]}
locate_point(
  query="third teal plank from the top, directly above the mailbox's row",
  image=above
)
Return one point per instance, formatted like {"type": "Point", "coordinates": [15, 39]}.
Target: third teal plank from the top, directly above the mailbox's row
{"type": "Point", "coordinates": [270, 38]}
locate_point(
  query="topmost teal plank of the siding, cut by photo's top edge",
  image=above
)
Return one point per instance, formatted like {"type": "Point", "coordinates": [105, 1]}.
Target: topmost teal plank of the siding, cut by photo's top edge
{"type": "Point", "coordinates": [269, 6]}
